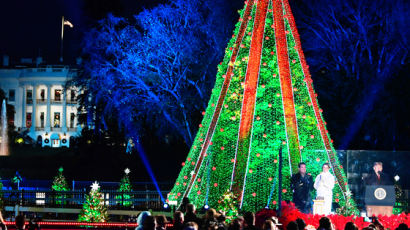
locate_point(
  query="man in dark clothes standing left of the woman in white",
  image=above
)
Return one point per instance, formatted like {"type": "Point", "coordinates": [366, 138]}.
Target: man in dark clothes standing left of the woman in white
{"type": "Point", "coordinates": [302, 185]}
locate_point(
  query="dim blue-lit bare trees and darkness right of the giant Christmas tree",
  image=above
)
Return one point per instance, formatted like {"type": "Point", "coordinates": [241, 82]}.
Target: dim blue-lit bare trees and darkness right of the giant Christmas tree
{"type": "Point", "coordinates": [358, 54]}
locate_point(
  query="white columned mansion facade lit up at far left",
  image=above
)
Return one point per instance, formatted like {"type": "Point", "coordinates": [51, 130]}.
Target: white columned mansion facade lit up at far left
{"type": "Point", "coordinates": [42, 104]}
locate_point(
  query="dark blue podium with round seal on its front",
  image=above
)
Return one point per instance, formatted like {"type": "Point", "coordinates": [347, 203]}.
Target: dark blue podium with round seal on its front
{"type": "Point", "coordinates": [379, 200]}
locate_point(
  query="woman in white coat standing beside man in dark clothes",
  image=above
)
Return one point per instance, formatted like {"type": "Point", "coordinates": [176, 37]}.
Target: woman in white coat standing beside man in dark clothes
{"type": "Point", "coordinates": [324, 184]}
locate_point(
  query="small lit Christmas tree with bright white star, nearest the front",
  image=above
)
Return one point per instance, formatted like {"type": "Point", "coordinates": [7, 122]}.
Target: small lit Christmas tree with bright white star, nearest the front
{"type": "Point", "coordinates": [94, 209]}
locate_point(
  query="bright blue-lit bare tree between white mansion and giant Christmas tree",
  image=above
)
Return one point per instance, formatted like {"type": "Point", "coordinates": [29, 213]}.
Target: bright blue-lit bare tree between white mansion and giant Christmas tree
{"type": "Point", "coordinates": [154, 69]}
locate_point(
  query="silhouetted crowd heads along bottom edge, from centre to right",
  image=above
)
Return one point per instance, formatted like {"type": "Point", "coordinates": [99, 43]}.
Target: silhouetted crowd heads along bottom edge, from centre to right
{"type": "Point", "coordinates": [213, 220]}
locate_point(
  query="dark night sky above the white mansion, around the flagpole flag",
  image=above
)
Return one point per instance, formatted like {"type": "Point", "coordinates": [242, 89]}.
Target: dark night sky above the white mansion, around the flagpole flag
{"type": "Point", "coordinates": [33, 28]}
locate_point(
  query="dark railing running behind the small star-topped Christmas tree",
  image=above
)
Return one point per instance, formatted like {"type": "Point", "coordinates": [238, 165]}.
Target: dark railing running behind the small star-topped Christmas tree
{"type": "Point", "coordinates": [75, 199]}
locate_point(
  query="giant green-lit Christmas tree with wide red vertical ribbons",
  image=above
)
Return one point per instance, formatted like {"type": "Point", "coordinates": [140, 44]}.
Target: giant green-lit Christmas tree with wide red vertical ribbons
{"type": "Point", "coordinates": [263, 98]}
